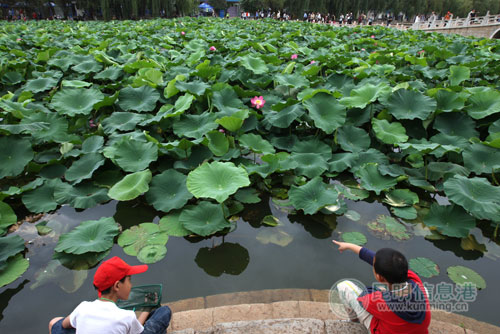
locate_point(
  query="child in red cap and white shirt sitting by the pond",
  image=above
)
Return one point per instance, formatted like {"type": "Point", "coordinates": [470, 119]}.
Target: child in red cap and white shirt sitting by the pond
{"type": "Point", "coordinates": [112, 281]}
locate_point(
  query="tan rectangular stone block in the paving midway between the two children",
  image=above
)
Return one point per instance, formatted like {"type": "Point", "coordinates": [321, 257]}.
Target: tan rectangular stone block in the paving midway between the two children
{"type": "Point", "coordinates": [244, 312]}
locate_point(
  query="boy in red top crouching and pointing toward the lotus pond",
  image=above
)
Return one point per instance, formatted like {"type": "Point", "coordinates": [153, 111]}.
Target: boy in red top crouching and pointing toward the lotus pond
{"type": "Point", "coordinates": [399, 305]}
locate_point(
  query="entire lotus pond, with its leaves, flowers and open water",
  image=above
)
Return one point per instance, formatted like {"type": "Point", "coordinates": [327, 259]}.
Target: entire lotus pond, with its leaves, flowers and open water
{"type": "Point", "coordinates": [243, 148]}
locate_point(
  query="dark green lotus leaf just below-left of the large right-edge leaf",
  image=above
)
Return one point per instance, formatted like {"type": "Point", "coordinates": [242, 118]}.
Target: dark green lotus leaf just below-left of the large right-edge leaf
{"type": "Point", "coordinates": [450, 220]}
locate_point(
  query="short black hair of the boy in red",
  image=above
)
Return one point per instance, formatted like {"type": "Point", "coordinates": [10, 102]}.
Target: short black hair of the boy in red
{"type": "Point", "coordinates": [392, 265]}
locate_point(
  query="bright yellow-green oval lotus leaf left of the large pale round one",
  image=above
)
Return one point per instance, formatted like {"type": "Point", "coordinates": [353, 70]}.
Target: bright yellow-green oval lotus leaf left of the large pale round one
{"type": "Point", "coordinates": [131, 186]}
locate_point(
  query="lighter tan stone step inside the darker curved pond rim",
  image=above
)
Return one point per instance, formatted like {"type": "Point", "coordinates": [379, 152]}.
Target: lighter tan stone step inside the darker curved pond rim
{"type": "Point", "coordinates": [279, 317]}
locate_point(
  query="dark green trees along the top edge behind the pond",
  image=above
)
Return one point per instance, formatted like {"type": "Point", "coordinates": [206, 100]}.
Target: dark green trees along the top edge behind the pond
{"type": "Point", "coordinates": [125, 9]}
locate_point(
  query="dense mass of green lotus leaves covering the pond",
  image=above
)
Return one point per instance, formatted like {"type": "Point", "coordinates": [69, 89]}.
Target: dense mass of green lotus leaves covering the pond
{"type": "Point", "coordinates": [161, 112]}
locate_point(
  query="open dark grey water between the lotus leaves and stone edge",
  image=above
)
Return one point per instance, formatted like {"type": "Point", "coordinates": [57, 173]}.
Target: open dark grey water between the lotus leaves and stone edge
{"type": "Point", "coordinates": [296, 254]}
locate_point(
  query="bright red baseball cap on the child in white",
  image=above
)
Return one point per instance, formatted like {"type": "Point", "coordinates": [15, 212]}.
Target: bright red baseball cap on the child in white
{"type": "Point", "coordinates": [113, 270]}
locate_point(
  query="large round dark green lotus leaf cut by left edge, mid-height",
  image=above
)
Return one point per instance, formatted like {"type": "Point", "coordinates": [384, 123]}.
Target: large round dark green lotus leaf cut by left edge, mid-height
{"type": "Point", "coordinates": [15, 153]}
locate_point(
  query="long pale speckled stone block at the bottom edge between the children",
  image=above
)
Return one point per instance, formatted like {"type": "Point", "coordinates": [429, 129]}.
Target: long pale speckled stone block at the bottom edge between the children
{"type": "Point", "coordinates": [273, 326]}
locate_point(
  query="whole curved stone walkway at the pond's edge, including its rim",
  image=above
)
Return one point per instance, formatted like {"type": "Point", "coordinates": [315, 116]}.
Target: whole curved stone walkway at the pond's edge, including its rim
{"type": "Point", "coordinates": [287, 311]}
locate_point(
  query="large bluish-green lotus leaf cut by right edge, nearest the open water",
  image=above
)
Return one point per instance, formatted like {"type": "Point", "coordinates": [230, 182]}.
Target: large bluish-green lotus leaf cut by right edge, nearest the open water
{"type": "Point", "coordinates": [476, 195]}
